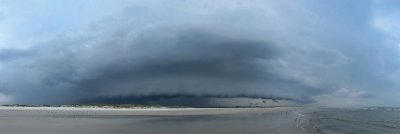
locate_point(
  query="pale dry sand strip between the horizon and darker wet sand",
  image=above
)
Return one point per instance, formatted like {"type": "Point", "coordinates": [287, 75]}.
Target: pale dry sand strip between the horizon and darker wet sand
{"type": "Point", "coordinates": [73, 111]}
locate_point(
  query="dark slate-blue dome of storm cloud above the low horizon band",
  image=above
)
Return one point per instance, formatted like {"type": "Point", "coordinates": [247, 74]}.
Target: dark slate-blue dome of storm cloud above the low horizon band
{"type": "Point", "coordinates": [193, 63]}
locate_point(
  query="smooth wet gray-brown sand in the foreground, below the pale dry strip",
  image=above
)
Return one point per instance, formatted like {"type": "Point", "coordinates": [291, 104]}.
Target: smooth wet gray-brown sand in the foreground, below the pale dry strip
{"type": "Point", "coordinates": [221, 124]}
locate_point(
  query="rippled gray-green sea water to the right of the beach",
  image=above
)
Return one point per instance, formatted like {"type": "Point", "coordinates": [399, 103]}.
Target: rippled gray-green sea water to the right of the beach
{"type": "Point", "coordinates": [353, 121]}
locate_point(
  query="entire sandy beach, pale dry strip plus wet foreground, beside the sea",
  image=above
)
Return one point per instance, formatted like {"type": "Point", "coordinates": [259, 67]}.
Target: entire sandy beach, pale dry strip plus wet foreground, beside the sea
{"type": "Point", "coordinates": [67, 120]}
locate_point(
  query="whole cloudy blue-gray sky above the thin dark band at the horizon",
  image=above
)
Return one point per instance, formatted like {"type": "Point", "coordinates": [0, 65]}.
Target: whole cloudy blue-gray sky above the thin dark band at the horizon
{"type": "Point", "coordinates": [334, 53]}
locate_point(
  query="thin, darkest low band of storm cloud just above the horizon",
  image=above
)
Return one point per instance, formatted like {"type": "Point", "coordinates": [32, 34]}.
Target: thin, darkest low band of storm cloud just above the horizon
{"type": "Point", "coordinates": [208, 100]}
